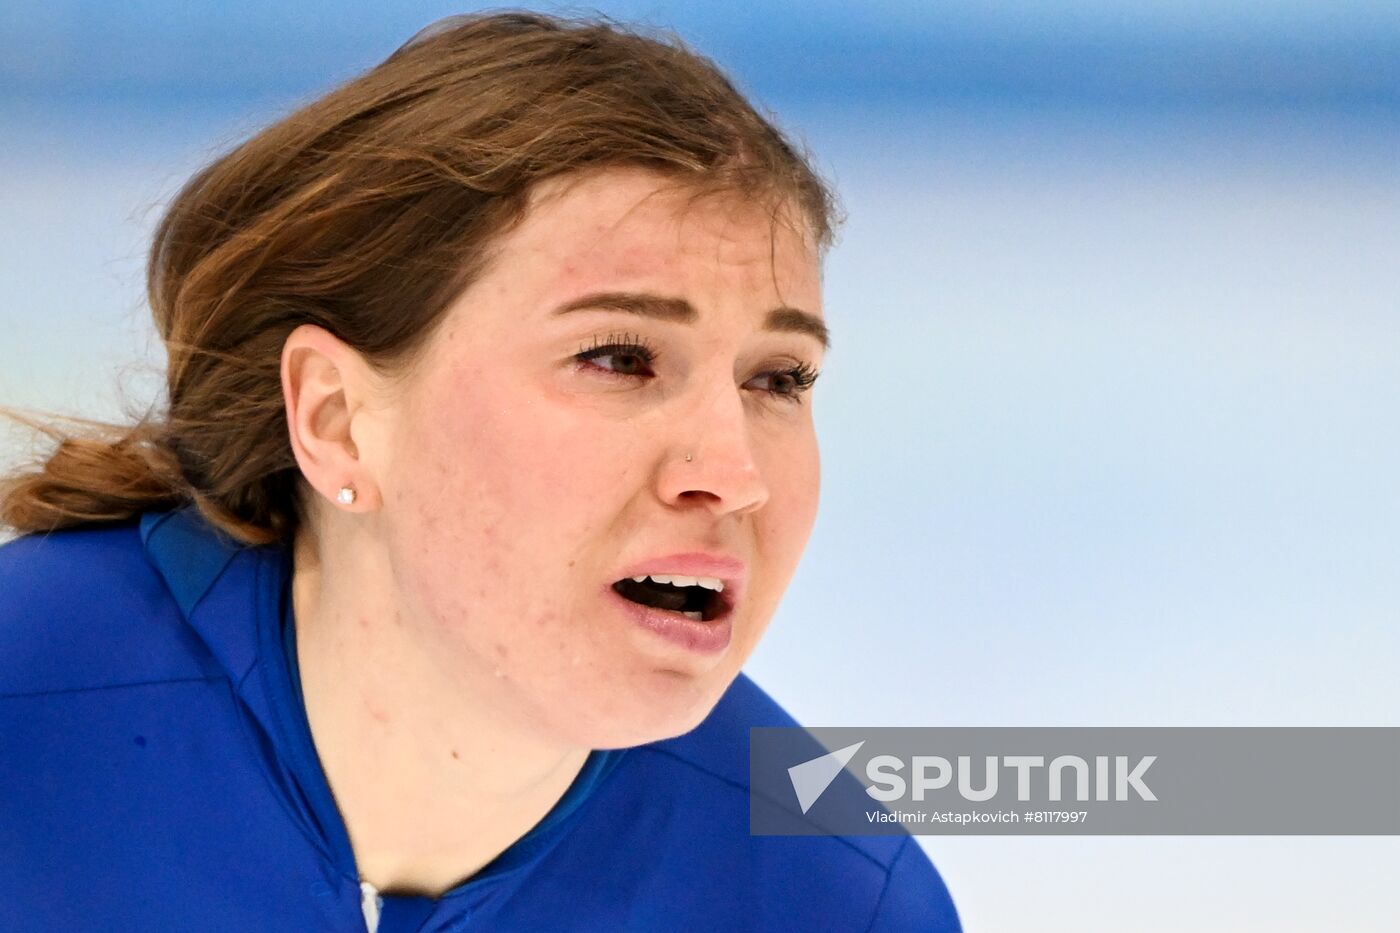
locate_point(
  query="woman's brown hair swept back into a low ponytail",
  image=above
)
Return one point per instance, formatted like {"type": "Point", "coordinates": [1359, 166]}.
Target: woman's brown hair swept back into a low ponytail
{"type": "Point", "coordinates": [366, 214]}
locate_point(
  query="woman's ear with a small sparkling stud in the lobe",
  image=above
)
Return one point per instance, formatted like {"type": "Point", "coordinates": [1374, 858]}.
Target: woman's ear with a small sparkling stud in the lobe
{"type": "Point", "coordinates": [324, 386]}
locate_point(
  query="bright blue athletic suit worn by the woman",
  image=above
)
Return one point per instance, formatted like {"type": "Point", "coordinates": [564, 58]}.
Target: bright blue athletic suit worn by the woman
{"type": "Point", "coordinates": [157, 773]}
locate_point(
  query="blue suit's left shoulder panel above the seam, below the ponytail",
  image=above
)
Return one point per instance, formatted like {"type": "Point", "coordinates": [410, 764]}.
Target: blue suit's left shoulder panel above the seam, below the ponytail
{"type": "Point", "coordinates": [83, 609]}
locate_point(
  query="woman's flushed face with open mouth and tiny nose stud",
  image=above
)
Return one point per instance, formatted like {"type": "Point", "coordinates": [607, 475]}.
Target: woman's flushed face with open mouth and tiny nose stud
{"type": "Point", "coordinates": [537, 456]}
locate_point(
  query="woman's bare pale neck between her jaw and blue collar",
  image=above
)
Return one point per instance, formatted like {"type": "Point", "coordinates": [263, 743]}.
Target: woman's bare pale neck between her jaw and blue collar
{"type": "Point", "coordinates": [433, 778]}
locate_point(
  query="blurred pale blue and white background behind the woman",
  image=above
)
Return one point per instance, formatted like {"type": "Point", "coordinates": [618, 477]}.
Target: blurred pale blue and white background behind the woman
{"type": "Point", "coordinates": [1109, 428]}
